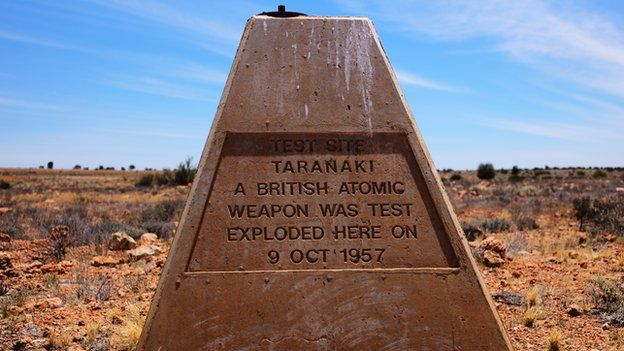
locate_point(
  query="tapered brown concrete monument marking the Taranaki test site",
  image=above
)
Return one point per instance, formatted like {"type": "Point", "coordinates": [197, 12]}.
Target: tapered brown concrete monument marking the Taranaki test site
{"type": "Point", "coordinates": [312, 116]}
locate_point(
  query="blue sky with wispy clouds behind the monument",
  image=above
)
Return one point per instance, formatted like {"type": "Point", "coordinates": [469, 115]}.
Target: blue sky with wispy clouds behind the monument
{"type": "Point", "coordinates": [113, 83]}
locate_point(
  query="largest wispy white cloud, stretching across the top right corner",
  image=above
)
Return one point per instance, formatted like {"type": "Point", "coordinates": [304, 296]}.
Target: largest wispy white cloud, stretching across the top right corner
{"type": "Point", "coordinates": [561, 39]}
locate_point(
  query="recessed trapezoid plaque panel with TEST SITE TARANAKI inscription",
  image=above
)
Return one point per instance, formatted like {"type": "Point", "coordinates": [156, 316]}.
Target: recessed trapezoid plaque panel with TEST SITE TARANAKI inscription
{"type": "Point", "coordinates": [319, 201]}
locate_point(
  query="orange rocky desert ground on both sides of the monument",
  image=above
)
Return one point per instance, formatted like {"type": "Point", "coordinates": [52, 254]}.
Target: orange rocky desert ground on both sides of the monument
{"type": "Point", "coordinates": [77, 271]}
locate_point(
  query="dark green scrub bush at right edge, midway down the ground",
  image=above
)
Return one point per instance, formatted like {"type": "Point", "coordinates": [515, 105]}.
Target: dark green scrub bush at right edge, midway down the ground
{"type": "Point", "coordinates": [604, 214]}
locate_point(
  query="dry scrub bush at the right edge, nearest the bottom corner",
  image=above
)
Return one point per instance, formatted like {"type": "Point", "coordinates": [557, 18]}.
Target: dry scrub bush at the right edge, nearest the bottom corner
{"type": "Point", "coordinates": [608, 298]}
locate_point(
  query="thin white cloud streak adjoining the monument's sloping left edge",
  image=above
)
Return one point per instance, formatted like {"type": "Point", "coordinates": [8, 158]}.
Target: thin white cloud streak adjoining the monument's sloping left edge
{"type": "Point", "coordinates": [157, 86]}
